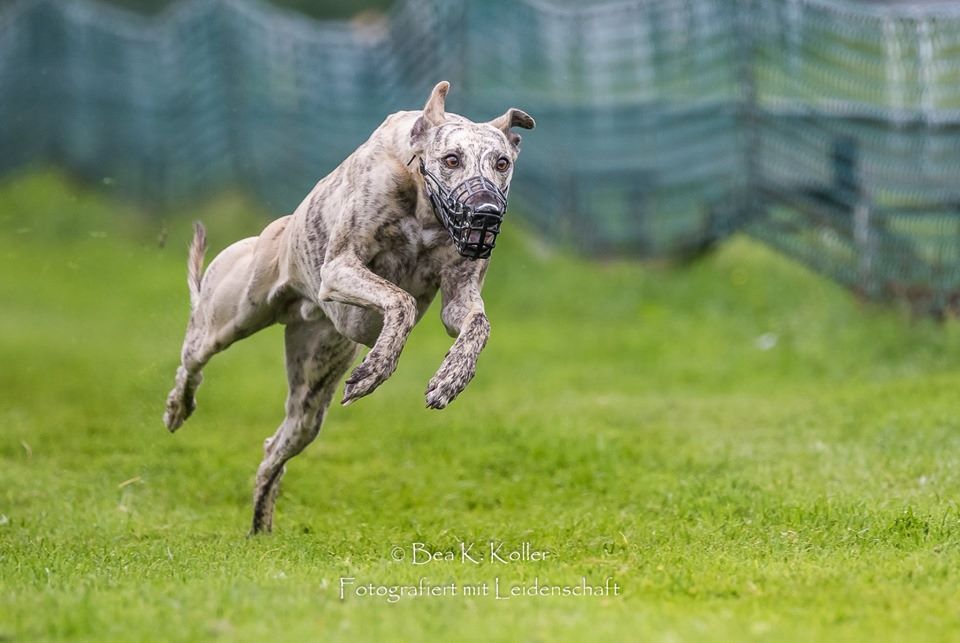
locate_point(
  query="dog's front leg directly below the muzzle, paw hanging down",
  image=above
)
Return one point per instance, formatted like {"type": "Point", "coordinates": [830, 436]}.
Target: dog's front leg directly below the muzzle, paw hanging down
{"type": "Point", "coordinates": [464, 317]}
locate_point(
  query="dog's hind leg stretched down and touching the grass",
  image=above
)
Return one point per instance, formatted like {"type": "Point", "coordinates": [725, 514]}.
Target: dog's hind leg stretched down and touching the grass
{"type": "Point", "coordinates": [317, 357]}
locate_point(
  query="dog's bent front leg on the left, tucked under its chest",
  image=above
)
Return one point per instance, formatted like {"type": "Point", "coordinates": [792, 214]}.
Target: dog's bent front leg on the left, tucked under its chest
{"type": "Point", "coordinates": [346, 279]}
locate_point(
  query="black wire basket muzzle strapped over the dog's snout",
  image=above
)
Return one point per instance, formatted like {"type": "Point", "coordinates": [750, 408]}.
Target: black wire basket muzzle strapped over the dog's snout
{"type": "Point", "coordinates": [471, 212]}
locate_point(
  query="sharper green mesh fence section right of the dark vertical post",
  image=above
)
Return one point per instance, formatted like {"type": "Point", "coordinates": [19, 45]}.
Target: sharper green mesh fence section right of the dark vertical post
{"type": "Point", "coordinates": [858, 136]}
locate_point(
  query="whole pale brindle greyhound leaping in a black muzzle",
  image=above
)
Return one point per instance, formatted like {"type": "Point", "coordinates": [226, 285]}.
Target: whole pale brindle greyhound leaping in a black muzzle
{"type": "Point", "coordinates": [413, 210]}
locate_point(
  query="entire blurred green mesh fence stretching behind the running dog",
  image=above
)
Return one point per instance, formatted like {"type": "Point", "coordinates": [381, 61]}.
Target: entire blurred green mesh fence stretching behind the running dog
{"type": "Point", "coordinates": [829, 129]}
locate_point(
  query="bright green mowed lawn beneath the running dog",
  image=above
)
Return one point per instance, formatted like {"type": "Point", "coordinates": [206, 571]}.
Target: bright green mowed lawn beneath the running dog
{"type": "Point", "coordinates": [747, 451]}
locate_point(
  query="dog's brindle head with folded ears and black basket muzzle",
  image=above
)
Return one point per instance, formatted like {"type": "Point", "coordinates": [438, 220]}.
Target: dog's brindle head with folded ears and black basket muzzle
{"type": "Point", "coordinates": [467, 169]}
